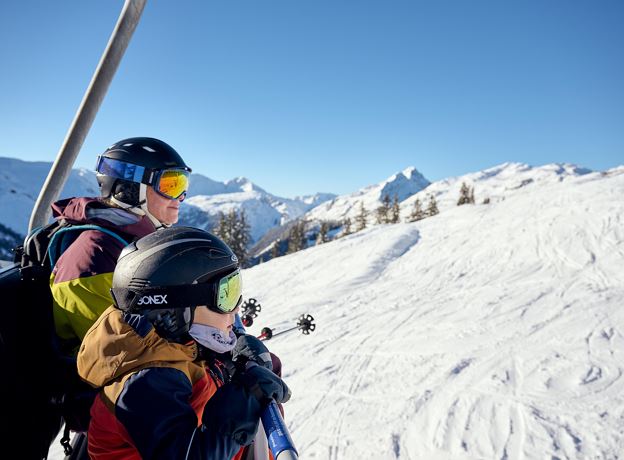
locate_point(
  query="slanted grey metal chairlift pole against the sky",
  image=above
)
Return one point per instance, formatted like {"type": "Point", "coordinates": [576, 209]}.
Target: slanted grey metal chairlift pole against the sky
{"type": "Point", "coordinates": [109, 62]}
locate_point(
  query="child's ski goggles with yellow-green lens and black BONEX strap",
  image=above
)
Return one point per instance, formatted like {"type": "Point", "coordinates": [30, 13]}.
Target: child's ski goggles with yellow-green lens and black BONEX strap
{"type": "Point", "coordinates": [223, 295]}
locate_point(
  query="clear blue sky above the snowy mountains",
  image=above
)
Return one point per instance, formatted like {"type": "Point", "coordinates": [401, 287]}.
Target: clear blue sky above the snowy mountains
{"type": "Point", "coordinates": [310, 96]}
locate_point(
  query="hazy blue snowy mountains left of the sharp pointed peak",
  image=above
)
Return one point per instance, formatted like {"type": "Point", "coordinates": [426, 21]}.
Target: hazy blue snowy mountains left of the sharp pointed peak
{"type": "Point", "coordinates": [21, 182]}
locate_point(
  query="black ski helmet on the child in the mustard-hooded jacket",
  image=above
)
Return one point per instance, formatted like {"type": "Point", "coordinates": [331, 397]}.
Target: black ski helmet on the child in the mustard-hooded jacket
{"type": "Point", "coordinates": [166, 274]}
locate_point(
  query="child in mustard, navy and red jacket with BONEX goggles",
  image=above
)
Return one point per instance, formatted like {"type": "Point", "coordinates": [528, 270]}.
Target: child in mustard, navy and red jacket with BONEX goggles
{"type": "Point", "coordinates": [176, 381]}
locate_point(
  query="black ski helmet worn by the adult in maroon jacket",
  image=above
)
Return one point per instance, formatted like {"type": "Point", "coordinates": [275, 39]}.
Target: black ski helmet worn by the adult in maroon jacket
{"type": "Point", "coordinates": [152, 154]}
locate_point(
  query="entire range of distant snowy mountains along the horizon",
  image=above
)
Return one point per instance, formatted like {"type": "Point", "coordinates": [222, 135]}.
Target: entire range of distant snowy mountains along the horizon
{"type": "Point", "coordinates": [270, 216]}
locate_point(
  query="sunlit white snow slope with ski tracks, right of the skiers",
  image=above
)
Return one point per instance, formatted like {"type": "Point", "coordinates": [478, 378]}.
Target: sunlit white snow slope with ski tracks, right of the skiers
{"type": "Point", "coordinates": [486, 332]}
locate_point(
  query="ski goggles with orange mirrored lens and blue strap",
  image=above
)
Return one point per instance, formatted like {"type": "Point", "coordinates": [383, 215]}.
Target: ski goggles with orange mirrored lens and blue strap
{"type": "Point", "coordinates": [171, 183]}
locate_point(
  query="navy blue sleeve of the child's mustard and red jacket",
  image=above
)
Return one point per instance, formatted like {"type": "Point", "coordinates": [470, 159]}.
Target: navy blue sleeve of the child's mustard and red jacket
{"type": "Point", "coordinates": [154, 408]}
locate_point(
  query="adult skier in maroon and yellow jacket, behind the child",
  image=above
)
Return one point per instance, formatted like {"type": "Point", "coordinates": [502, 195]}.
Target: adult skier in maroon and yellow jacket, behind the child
{"type": "Point", "coordinates": [142, 182]}
